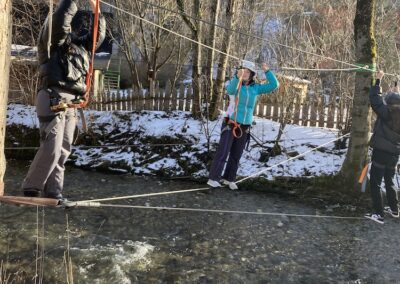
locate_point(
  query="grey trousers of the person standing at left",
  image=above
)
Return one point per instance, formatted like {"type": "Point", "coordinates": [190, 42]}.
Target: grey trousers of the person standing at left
{"type": "Point", "coordinates": [46, 173]}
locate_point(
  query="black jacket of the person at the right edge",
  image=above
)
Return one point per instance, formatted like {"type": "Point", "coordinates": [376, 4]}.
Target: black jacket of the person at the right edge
{"type": "Point", "coordinates": [383, 138]}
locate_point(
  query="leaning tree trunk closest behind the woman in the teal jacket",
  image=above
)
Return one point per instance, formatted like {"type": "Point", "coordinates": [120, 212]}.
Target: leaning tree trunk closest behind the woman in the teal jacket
{"type": "Point", "coordinates": [223, 60]}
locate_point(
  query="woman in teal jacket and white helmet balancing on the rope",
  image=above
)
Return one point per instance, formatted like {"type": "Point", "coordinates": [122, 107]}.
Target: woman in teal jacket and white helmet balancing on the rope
{"type": "Point", "coordinates": [243, 93]}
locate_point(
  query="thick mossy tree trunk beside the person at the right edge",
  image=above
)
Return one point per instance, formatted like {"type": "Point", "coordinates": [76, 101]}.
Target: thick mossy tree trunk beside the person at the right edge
{"type": "Point", "coordinates": [364, 36]}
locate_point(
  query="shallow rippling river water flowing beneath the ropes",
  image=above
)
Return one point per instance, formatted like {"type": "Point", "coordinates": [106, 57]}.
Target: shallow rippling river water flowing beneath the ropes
{"type": "Point", "coordinates": [125, 245]}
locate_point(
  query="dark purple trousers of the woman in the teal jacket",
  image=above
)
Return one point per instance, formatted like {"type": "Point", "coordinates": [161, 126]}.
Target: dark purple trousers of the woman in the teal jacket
{"type": "Point", "coordinates": [232, 146]}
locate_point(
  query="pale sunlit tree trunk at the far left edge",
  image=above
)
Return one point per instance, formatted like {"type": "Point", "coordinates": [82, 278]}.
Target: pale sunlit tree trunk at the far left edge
{"type": "Point", "coordinates": [5, 51]}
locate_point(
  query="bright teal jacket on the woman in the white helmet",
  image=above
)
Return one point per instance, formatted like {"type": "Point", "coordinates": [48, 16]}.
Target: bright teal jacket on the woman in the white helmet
{"type": "Point", "coordinates": [248, 96]}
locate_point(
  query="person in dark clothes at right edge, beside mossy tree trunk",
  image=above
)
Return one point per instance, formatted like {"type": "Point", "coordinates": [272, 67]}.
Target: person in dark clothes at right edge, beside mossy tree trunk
{"type": "Point", "coordinates": [385, 143]}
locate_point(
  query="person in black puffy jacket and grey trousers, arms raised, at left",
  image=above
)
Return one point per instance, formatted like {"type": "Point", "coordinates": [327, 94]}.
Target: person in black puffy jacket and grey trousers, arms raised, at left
{"type": "Point", "coordinates": [64, 65]}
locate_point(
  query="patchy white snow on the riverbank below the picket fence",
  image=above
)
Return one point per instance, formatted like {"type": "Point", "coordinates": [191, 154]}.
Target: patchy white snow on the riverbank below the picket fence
{"type": "Point", "coordinates": [179, 124]}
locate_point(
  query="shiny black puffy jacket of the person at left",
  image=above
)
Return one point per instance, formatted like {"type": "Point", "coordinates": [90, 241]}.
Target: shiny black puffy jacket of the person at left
{"type": "Point", "coordinates": [69, 53]}
